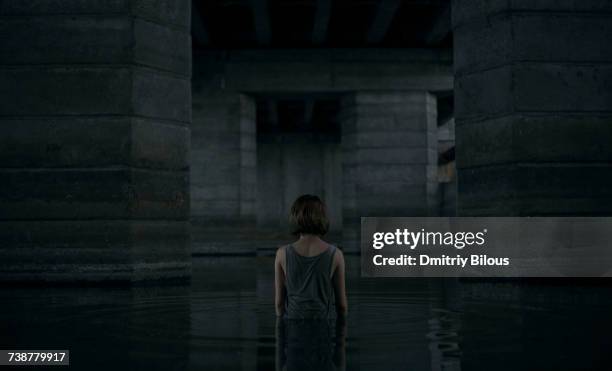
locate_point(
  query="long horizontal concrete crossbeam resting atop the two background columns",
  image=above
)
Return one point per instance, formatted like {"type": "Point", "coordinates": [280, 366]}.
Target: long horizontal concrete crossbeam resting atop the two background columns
{"type": "Point", "coordinates": [331, 70]}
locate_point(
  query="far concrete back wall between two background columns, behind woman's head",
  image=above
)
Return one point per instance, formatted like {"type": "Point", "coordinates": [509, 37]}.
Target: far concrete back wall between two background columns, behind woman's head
{"type": "Point", "coordinates": [289, 165]}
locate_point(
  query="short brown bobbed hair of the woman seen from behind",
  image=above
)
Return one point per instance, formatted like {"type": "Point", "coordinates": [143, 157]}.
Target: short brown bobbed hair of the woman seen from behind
{"type": "Point", "coordinates": [308, 216]}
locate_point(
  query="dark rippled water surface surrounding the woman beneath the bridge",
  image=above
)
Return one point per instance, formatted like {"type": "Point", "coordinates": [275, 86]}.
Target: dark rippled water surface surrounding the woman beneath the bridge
{"type": "Point", "coordinates": [225, 320]}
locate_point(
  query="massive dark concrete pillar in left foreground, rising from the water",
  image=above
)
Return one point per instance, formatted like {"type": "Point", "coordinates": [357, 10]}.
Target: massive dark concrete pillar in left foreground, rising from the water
{"type": "Point", "coordinates": [94, 138]}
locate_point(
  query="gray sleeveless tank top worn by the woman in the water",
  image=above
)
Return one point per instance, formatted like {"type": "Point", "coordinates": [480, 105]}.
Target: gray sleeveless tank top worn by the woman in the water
{"type": "Point", "coordinates": [310, 293]}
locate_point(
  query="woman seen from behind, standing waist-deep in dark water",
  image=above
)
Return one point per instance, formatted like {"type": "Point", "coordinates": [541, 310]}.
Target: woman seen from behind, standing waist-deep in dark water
{"type": "Point", "coordinates": [309, 273]}
